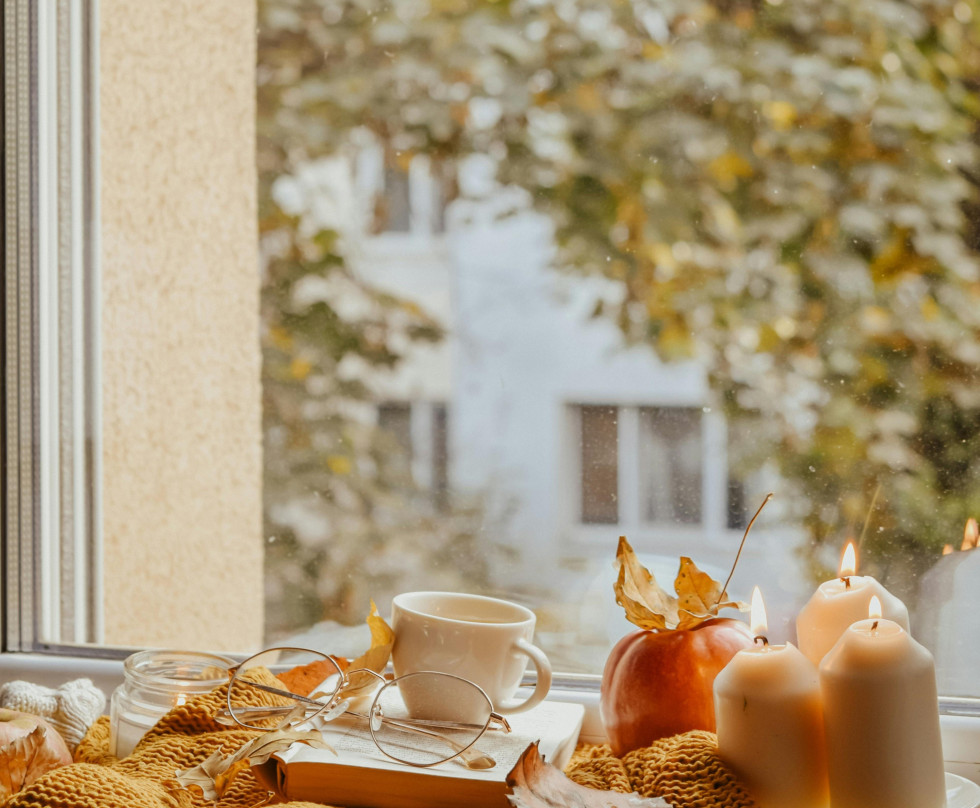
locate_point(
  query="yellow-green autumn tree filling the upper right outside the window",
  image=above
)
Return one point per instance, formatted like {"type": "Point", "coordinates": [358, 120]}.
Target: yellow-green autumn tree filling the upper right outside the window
{"type": "Point", "coordinates": [779, 189]}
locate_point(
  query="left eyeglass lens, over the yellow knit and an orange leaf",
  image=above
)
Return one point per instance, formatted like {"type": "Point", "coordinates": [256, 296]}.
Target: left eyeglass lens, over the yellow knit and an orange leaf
{"type": "Point", "coordinates": [282, 685]}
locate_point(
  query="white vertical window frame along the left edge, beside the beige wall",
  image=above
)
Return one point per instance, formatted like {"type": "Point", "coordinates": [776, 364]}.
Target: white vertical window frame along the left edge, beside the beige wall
{"type": "Point", "coordinates": [52, 573]}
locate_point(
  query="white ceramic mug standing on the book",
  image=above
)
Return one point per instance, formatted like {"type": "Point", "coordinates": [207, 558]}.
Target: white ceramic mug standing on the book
{"type": "Point", "coordinates": [485, 640]}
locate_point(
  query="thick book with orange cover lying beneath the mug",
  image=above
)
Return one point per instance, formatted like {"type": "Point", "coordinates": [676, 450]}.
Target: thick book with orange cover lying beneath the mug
{"type": "Point", "coordinates": [360, 776]}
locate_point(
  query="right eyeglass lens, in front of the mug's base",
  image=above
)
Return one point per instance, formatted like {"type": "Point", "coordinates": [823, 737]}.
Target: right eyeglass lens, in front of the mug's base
{"type": "Point", "coordinates": [425, 718]}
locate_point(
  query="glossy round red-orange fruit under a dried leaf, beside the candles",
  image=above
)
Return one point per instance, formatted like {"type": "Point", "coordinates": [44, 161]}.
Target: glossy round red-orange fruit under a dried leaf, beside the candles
{"type": "Point", "coordinates": [659, 683]}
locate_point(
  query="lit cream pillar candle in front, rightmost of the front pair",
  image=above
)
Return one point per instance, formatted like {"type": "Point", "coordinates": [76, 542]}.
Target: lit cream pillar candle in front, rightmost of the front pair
{"type": "Point", "coordinates": [881, 715]}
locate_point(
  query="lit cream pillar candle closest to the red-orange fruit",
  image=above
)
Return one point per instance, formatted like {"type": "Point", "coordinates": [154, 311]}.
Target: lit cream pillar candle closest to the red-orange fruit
{"type": "Point", "coordinates": [769, 721]}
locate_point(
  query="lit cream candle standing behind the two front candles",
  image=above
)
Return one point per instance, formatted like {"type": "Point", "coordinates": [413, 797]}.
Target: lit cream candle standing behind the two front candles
{"type": "Point", "coordinates": [840, 602]}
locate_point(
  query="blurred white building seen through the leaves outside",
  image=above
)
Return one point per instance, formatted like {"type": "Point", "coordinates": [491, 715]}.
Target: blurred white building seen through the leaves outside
{"type": "Point", "coordinates": [569, 437]}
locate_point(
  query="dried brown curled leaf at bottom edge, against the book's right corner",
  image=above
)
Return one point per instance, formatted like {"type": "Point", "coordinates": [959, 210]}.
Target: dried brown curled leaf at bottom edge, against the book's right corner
{"type": "Point", "coordinates": [537, 784]}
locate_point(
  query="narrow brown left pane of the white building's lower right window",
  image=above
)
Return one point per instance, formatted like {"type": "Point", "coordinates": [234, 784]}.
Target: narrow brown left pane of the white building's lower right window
{"type": "Point", "coordinates": [600, 465]}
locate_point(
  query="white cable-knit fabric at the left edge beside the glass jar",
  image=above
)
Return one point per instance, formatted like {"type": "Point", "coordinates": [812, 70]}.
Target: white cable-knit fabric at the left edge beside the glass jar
{"type": "Point", "coordinates": [71, 709]}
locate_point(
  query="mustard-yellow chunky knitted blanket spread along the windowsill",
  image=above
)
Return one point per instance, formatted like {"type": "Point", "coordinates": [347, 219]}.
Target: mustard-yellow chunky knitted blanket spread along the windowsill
{"type": "Point", "coordinates": [684, 770]}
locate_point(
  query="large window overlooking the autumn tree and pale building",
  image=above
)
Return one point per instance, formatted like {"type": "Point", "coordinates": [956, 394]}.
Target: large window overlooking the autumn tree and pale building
{"type": "Point", "coordinates": [707, 270]}
